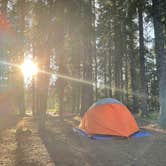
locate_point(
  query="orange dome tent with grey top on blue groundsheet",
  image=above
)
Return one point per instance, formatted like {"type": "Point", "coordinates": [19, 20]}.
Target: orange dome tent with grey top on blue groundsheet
{"type": "Point", "coordinates": [109, 117]}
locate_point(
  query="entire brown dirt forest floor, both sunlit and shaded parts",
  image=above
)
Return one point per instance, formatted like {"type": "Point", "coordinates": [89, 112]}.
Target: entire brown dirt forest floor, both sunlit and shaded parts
{"type": "Point", "coordinates": [62, 147]}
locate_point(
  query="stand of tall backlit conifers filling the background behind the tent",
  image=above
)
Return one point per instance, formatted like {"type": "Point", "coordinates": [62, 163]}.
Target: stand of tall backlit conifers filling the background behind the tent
{"type": "Point", "coordinates": [96, 48]}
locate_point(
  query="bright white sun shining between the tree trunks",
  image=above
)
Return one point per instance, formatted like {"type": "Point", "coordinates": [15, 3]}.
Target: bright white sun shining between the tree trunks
{"type": "Point", "coordinates": [29, 68]}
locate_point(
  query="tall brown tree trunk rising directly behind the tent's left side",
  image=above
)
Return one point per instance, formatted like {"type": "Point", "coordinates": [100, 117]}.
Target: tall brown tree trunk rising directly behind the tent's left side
{"type": "Point", "coordinates": [87, 89]}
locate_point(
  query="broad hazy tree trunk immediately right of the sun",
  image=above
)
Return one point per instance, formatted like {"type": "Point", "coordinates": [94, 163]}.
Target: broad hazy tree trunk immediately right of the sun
{"type": "Point", "coordinates": [43, 52]}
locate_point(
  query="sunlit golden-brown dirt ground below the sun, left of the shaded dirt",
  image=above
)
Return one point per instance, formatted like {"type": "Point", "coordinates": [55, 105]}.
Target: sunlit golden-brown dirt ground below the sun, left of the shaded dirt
{"type": "Point", "coordinates": [21, 149]}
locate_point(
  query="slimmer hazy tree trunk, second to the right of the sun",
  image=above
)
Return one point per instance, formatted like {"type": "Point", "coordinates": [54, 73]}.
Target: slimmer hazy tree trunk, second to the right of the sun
{"type": "Point", "coordinates": [61, 54]}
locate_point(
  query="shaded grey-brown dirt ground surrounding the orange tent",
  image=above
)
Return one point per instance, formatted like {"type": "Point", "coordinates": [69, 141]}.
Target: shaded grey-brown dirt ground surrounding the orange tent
{"type": "Point", "coordinates": [69, 149]}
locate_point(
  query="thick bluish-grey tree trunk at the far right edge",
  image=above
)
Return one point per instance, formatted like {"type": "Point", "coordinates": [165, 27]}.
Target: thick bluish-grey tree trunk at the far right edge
{"type": "Point", "coordinates": [161, 59]}
